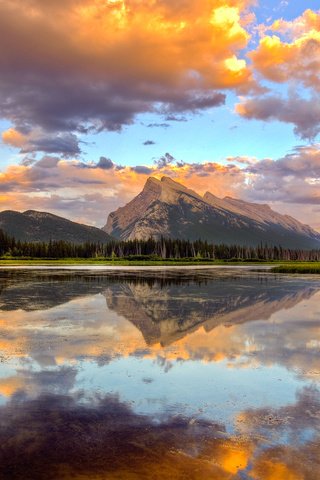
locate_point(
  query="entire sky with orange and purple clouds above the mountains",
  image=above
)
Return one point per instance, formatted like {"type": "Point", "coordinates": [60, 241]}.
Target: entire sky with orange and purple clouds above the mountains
{"type": "Point", "coordinates": [98, 95]}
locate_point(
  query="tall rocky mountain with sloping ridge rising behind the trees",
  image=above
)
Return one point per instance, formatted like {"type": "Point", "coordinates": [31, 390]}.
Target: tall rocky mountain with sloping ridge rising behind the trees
{"type": "Point", "coordinates": [167, 208]}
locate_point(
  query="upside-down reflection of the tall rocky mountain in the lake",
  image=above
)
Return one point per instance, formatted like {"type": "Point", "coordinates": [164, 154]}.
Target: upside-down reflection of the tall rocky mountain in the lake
{"type": "Point", "coordinates": [167, 314]}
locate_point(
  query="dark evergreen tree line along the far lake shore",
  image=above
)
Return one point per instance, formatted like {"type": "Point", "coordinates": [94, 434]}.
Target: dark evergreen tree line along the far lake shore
{"type": "Point", "coordinates": [151, 249]}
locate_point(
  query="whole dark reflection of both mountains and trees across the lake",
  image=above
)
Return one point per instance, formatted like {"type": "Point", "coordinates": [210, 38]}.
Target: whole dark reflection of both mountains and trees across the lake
{"type": "Point", "coordinates": [164, 306]}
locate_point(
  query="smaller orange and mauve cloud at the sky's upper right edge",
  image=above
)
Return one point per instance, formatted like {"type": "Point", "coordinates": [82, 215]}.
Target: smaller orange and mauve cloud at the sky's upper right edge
{"type": "Point", "coordinates": [288, 56]}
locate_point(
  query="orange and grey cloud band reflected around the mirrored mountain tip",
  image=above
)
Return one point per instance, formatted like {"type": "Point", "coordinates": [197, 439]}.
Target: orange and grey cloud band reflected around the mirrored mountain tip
{"type": "Point", "coordinates": [52, 338]}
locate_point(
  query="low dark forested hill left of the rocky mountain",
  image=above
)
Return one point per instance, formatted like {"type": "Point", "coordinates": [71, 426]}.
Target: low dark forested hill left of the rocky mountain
{"type": "Point", "coordinates": [33, 226]}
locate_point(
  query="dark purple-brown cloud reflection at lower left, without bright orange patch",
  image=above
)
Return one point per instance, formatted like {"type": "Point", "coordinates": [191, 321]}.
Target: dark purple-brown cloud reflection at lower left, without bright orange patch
{"type": "Point", "coordinates": [57, 437]}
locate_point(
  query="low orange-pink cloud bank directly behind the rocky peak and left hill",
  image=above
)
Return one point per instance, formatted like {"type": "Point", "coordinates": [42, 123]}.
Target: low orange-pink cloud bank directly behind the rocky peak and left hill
{"type": "Point", "coordinates": [61, 186]}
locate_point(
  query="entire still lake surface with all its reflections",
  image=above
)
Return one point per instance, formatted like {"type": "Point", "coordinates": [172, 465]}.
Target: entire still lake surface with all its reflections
{"type": "Point", "coordinates": [159, 374]}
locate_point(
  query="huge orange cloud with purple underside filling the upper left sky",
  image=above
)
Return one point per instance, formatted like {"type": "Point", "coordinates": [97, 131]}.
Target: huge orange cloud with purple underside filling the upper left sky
{"type": "Point", "coordinates": [83, 66]}
